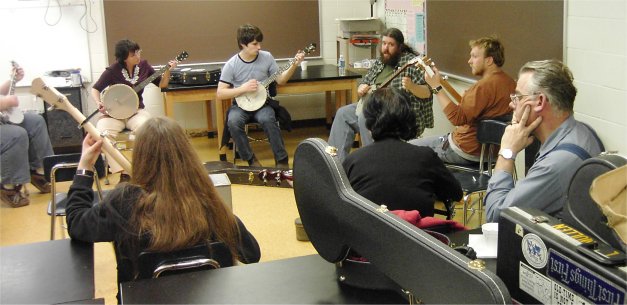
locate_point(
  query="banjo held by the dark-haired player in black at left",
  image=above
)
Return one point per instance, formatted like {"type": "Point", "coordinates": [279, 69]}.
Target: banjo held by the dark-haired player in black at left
{"type": "Point", "coordinates": [121, 101]}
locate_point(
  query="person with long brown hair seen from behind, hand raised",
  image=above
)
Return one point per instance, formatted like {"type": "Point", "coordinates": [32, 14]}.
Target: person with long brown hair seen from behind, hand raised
{"type": "Point", "coordinates": [169, 204]}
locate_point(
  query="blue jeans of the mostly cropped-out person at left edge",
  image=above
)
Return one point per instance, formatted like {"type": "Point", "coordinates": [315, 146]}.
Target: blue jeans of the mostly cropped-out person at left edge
{"type": "Point", "coordinates": [23, 147]}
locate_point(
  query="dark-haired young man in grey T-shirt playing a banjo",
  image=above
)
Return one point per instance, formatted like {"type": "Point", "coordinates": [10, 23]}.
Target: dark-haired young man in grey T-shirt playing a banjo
{"type": "Point", "coordinates": [242, 74]}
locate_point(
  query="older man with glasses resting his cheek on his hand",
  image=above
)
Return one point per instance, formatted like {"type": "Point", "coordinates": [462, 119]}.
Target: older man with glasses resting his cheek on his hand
{"type": "Point", "coordinates": [543, 108]}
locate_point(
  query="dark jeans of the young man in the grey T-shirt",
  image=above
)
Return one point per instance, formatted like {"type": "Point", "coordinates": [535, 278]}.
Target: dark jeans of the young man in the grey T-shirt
{"type": "Point", "coordinates": [266, 117]}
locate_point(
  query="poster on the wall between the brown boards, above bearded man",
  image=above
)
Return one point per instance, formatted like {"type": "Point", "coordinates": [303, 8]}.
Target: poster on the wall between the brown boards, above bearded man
{"type": "Point", "coordinates": [409, 17]}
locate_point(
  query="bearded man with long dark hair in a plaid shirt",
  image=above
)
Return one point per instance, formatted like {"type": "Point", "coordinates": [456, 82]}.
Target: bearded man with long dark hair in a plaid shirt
{"type": "Point", "coordinates": [394, 53]}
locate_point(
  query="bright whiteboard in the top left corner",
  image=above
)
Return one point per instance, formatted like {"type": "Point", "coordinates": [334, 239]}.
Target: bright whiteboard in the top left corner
{"type": "Point", "coordinates": [37, 46]}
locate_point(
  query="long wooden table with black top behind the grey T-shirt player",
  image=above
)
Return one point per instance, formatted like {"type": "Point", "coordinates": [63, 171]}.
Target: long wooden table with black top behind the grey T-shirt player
{"type": "Point", "coordinates": [322, 78]}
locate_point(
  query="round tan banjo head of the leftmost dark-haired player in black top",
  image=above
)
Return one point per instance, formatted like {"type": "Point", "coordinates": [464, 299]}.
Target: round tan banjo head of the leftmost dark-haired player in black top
{"type": "Point", "coordinates": [120, 101]}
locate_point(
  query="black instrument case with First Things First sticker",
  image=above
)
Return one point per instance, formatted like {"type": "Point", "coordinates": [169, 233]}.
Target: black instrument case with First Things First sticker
{"type": "Point", "coordinates": [545, 261]}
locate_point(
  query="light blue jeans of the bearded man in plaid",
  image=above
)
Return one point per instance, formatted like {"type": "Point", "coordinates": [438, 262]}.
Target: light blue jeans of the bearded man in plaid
{"type": "Point", "coordinates": [345, 125]}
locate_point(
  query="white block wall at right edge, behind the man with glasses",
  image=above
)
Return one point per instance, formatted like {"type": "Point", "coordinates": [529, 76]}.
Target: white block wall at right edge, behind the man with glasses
{"type": "Point", "coordinates": [596, 49]}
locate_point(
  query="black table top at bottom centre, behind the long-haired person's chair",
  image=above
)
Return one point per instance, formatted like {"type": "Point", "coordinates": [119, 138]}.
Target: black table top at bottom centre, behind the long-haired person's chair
{"type": "Point", "coordinates": [301, 280]}
